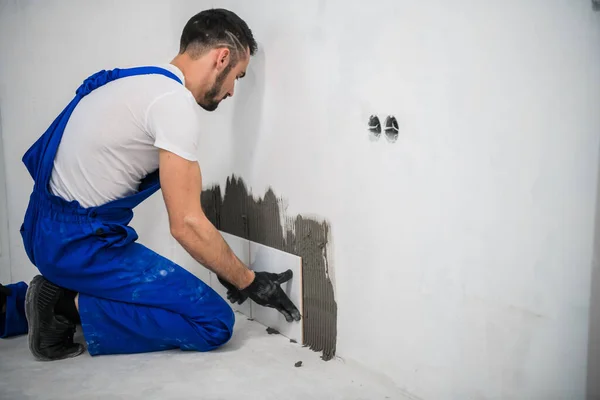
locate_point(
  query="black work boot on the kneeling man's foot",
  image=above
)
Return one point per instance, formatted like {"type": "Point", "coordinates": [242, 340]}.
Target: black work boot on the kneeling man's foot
{"type": "Point", "coordinates": [50, 334]}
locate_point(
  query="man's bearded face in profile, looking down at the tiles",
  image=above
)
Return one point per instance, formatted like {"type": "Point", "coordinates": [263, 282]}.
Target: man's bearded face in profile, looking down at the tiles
{"type": "Point", "coordinates": [224, 83]}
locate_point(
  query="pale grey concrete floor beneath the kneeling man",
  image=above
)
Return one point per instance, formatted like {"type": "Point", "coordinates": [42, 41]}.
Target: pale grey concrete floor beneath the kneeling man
{"type": "Point", "coordinates": [253, 365]}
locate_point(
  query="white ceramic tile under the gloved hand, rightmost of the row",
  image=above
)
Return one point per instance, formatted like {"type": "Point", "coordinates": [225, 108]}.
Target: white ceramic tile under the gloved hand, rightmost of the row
{"type": "Point", "coordinates": [264, 258]}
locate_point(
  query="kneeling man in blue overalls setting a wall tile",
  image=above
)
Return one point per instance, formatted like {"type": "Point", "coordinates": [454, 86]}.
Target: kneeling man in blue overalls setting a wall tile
{"type": "Point", "coordinates": [126, 134]}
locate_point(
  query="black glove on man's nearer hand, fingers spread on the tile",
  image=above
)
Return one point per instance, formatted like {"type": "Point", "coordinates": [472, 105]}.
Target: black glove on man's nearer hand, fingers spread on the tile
{"type": "Point", "coordinates": [266, 291]}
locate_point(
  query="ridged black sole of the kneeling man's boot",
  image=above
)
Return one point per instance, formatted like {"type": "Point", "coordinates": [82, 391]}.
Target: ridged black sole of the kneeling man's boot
{"type": "Point", "coordinates": [33, 322]}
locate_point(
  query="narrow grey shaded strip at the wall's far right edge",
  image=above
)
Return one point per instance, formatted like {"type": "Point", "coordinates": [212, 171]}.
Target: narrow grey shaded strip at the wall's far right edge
{"type": "Point", "coordinates": [593, 367]}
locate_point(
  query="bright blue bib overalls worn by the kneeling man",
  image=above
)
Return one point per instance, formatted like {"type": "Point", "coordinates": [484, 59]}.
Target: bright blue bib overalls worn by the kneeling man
{"type": "Point", "coordinates": [131, 300]}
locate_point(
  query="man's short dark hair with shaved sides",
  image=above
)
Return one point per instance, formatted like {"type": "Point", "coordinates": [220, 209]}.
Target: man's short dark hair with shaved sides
{"type": "Point", "coordinates": [214, 28]}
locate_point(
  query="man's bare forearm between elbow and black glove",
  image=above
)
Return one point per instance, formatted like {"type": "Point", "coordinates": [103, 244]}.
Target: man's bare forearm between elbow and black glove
{"type": "Point", "coordinates": [203, 241]}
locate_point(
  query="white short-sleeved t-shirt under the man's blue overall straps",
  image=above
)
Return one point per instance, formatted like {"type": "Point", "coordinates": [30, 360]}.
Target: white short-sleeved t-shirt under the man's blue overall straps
{"type": "Point", "coordinates": [112, 139]}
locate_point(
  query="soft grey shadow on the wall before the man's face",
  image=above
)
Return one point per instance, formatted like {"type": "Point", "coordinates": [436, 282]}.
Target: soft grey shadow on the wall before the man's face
{"type": "Point", "coordinates": [248, 112]}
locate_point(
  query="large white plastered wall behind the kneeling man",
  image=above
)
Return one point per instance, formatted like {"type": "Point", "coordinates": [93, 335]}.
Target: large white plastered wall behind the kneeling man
{"type": "Point", "coordinates": [462, 252]}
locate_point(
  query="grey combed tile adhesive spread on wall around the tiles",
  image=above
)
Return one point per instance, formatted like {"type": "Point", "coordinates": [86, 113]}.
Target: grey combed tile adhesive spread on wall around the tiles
{"type": "Point", "coordinates": [259, 220]}
